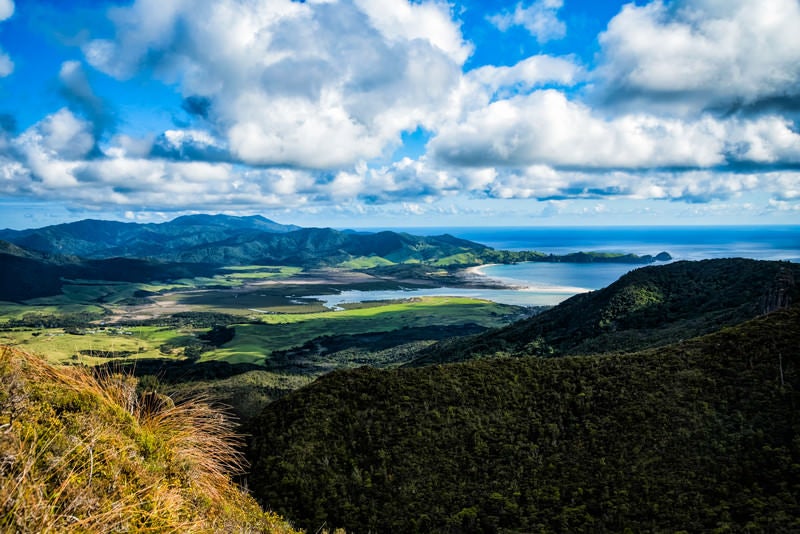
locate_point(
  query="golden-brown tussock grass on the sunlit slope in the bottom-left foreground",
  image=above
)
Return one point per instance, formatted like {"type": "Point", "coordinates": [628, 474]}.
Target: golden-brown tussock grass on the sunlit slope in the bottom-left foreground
{"type": "Point", "coordinates": [85, 452]}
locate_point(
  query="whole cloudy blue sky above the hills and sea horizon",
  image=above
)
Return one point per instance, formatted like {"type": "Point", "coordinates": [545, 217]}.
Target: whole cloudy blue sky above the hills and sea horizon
{"type": "Point", "coordinates": [398, 113]}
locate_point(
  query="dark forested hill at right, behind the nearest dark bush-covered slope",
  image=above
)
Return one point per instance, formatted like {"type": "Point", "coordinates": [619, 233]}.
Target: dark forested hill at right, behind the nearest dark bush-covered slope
{"type": "Point", "coordinates": [647, 307]}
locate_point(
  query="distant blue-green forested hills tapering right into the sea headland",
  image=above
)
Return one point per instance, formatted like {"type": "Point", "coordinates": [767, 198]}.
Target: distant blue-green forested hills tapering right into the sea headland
{"type": "Point", "coordinates": [226, 240]}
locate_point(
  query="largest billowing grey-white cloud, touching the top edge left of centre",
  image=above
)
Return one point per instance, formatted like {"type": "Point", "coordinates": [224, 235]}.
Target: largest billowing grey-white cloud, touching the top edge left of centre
{"type": "Point", "coordinates": [314, 84]}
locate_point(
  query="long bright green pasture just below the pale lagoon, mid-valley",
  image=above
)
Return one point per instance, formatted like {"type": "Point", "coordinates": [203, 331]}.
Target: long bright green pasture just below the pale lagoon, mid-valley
{"type": "Point", "coordinates": [254, 342]}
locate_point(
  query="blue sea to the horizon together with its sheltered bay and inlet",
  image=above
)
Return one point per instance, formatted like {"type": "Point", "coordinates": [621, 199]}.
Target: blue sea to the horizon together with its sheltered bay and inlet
{"type": "Point", "coordinates": [540, 284]}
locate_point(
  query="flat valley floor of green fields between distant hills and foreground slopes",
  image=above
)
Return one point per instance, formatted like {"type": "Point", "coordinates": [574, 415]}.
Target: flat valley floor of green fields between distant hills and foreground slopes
{"type": "Point", "coordinates": [93, 322]}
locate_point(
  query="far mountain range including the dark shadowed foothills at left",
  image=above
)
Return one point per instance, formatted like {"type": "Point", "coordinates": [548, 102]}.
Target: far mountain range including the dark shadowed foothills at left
{"type": "Point", "coordinates": [34, 262]}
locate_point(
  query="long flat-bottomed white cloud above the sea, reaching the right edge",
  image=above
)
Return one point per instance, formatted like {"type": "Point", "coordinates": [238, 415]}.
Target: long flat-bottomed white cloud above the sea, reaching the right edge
{"type": "Point", "coordinates": [545, 127]}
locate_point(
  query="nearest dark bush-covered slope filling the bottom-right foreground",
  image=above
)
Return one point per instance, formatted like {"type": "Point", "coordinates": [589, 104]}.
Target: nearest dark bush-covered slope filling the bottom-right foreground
{"type": "Point", "coordinates": [699, 436]}
